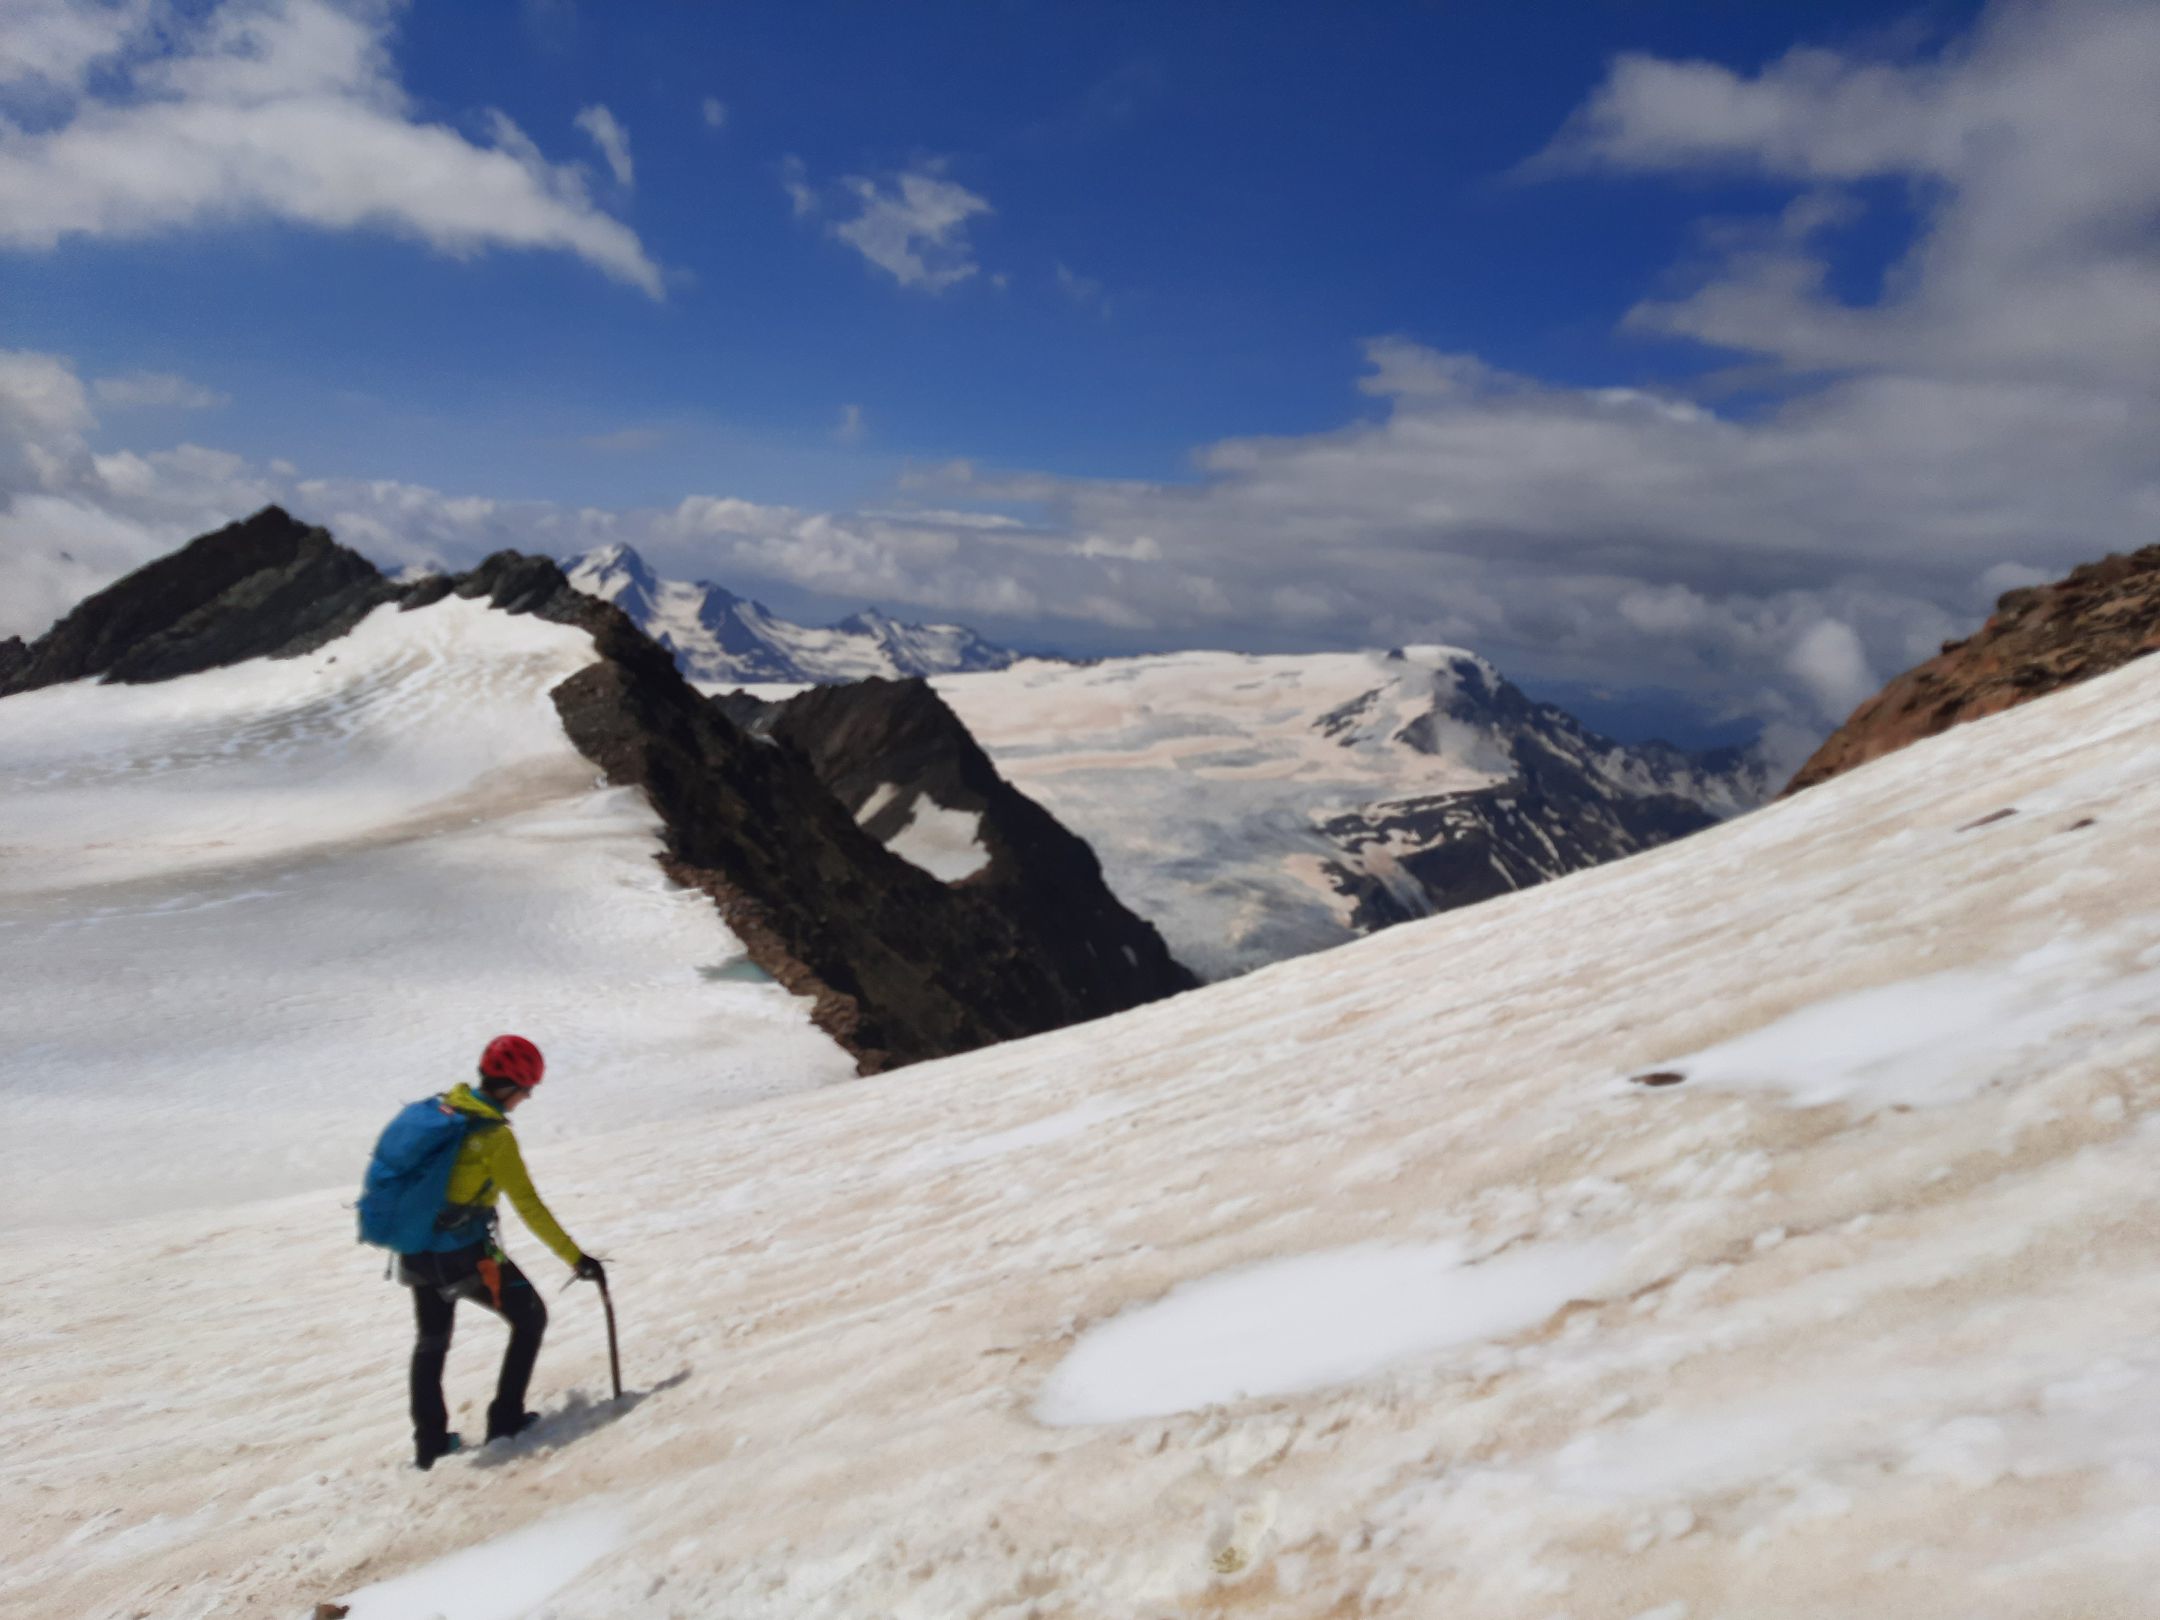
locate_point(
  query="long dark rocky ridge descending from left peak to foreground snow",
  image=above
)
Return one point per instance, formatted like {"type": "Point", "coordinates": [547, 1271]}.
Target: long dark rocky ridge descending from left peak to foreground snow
{"type": "Point", "coordinates": [902, 964]}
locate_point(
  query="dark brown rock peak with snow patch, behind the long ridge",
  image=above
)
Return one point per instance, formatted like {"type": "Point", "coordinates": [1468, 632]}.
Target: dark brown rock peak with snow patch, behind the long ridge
{"type": "Point", "coordinates": [900, 744]}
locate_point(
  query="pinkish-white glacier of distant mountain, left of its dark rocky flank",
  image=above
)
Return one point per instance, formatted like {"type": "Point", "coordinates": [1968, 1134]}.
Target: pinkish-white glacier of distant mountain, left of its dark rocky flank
{"type": "Point", "coordinates": [1204, 781]}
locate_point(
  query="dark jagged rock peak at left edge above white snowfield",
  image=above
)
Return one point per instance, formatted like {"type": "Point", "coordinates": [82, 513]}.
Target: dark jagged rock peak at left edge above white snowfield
{"type": "Point", "coordinates": [256, 589]}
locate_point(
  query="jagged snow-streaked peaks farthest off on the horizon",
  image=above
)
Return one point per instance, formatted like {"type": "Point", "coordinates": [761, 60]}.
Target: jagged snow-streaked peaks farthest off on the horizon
{"type": "Point", "coordinates": [723, 638]}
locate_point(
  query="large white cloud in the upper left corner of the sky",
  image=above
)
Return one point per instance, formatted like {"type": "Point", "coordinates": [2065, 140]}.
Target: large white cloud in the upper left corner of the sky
{"type": "Point", "coordinates": [275, 109]}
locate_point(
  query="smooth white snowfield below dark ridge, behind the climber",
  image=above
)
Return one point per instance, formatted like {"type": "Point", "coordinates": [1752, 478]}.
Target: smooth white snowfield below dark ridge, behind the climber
{"type": "Point", "coordinates": [247, 913]}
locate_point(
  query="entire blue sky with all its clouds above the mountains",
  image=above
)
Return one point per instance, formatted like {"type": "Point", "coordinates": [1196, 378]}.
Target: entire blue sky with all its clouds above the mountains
{"type": "Point", "coordinates": [1563, 332]}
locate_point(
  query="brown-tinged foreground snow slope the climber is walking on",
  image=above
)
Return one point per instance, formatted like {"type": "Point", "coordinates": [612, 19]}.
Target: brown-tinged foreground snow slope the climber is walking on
{"type": "Point", "coordinates": [1859, 1319]}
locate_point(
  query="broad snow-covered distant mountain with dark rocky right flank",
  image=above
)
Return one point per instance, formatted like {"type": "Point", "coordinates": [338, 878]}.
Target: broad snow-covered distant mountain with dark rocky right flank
{"type": "Point", "coordinates": [1260, 809]}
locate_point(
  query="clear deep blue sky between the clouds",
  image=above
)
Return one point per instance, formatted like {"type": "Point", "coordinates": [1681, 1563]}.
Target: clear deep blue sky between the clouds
{"type": "Point", "coordinates": [1237, 195]}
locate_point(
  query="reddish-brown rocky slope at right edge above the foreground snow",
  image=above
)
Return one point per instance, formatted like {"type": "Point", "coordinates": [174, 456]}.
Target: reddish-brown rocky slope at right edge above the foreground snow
{"type": "Point", "coordinates": [2040, 640]}
